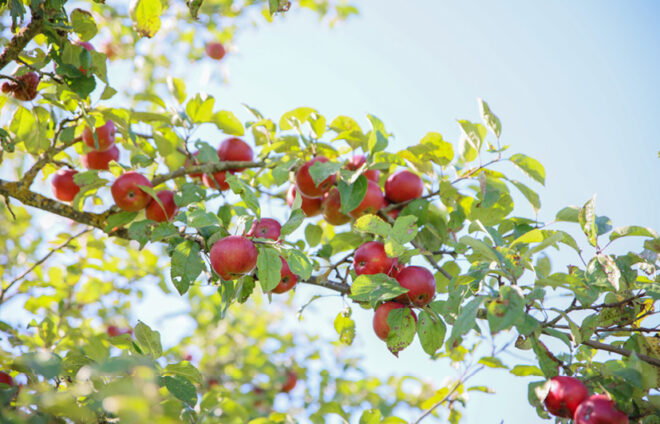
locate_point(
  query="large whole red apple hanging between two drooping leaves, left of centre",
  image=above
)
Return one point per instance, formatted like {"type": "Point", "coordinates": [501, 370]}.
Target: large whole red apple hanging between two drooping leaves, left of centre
{"type": "Point", "coordinates": [233, 256]}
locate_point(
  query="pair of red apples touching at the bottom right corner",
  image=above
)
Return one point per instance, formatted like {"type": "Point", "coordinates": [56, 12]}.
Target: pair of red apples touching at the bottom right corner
{"type": "Point", "coordinates": [568, 397]}
